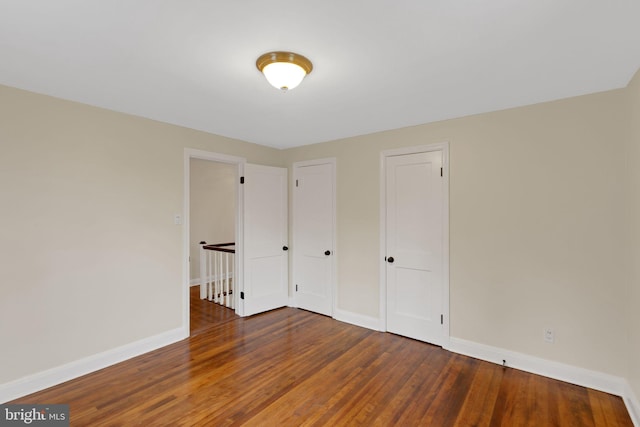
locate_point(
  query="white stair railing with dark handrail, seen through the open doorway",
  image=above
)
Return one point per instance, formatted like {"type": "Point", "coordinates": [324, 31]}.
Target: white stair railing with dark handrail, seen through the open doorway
{"type": "Point", "coordinates": [216, 272]}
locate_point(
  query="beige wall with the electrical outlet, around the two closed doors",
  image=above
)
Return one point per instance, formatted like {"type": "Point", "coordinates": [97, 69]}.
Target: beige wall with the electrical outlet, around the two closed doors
{"type": "Point", "coordinates": [536, 210]}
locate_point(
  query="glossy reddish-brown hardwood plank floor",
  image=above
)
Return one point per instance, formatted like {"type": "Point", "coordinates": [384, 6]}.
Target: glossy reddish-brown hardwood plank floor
{"type": "Point", "coordinates": [290, 367]}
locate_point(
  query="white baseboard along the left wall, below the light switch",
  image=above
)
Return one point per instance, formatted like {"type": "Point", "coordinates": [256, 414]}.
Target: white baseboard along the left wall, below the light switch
{"type": "Point", "coordinates": [45, 379]}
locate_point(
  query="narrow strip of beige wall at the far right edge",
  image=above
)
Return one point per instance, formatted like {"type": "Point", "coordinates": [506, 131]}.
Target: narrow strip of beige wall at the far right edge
{"type": "Point", "coordinates": [634, 233]}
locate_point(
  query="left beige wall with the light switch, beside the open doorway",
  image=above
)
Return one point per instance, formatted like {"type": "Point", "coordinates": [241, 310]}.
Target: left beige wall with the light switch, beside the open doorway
{"type": "Point", "coordinates": [91, 259]}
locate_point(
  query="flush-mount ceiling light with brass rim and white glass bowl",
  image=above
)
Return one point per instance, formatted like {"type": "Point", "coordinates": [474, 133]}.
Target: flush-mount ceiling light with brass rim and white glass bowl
{"type": "Point", "coordinates": [284, 70]}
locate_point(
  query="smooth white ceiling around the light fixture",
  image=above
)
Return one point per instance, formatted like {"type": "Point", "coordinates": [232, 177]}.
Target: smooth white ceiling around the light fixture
{"type": "Point", "coordinates": [378, 64]}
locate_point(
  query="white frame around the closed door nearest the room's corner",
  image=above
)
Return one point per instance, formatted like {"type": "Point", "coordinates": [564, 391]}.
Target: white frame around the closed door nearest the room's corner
{"type": "Point", "coordinates": [334, 257]}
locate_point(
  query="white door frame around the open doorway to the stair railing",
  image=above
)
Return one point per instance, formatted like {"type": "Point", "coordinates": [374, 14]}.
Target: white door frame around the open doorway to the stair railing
{"type": "Point", "coordinates": [190, 153]}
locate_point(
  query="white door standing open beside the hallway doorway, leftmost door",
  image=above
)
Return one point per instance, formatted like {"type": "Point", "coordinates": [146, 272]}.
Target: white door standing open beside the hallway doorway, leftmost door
{"type": "Point", "coordinates": [265, 239]}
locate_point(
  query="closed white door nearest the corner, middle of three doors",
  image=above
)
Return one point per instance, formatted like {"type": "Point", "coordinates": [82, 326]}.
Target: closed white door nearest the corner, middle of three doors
{"type": "Point", "coordinates": [313, 231]}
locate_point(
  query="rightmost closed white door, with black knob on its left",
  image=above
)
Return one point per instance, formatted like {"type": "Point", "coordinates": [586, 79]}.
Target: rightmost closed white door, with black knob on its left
{"type": "Point", "coordinates": [414, 245]}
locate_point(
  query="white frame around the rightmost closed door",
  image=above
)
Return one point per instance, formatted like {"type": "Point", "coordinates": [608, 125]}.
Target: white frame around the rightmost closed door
{"type": "Point", "coordinates": [444, 148]}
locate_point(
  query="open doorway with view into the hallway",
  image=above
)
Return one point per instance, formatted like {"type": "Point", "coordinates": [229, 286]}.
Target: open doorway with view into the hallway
{"type": "Point", "coordinates": [212, 206]}
